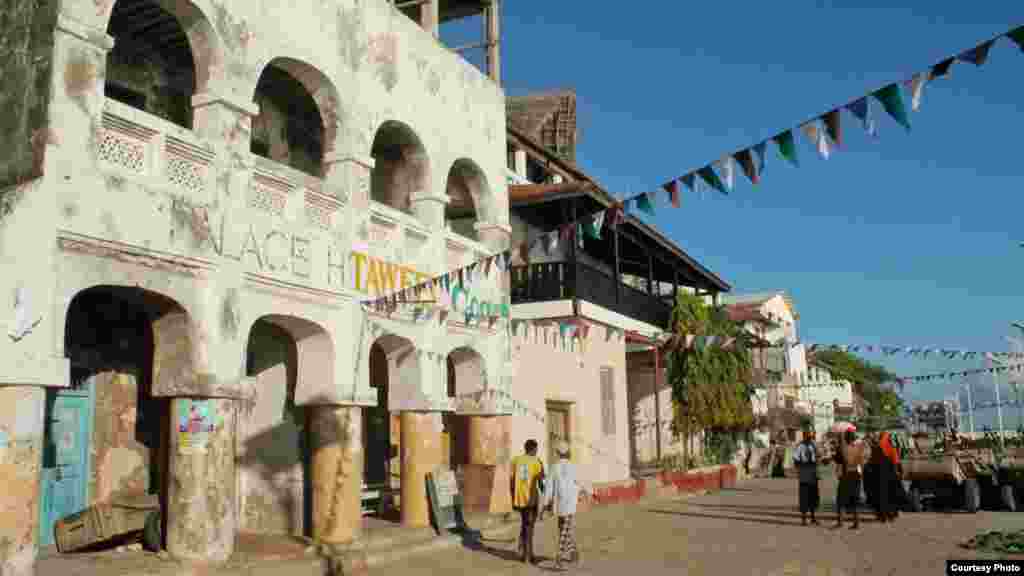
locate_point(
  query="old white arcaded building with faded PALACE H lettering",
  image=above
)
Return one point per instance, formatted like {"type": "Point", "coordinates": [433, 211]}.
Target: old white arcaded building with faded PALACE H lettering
{"type": "Point", "coordinates": [196, 196]}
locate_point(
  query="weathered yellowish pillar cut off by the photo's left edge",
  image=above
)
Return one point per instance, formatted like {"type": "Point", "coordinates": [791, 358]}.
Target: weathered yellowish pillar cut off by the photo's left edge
{"type": "Point", "coordinates": [22, 414]}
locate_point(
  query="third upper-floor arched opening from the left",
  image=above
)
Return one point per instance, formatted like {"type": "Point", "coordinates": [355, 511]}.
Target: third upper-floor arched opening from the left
{"type": "Point", "coordinates": [401, 167]}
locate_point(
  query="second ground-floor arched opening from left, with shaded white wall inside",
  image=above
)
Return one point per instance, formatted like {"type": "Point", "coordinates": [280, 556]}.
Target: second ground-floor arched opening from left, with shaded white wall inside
{"type": "Point", "coordinates": [283, 354]}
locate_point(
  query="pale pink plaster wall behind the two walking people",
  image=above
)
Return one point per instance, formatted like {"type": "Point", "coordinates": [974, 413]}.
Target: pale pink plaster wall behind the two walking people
{"type": "Point", "coordinates": [545, 372]}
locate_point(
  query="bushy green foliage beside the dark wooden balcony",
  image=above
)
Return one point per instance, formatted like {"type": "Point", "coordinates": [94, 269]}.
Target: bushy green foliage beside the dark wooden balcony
{"type": "Point", "coordinates": [711, 386]}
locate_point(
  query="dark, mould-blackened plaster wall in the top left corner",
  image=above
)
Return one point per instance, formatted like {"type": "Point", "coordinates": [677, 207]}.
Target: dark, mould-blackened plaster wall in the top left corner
{"type": "Point", "coordinates": [26, 64]}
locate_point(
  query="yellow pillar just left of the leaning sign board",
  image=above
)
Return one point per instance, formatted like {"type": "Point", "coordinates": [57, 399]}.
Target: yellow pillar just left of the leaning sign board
{"type": "Point", "coordinates": [421, 455]}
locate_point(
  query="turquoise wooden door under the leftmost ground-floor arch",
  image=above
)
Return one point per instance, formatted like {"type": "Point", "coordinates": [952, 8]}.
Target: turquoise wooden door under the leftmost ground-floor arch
{"type": "Point", "coordinates": [66, 458]}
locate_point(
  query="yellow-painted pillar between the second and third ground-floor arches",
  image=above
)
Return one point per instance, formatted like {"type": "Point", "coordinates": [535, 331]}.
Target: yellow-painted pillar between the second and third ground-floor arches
{"type": "Point", "coordinates": [337, 470]}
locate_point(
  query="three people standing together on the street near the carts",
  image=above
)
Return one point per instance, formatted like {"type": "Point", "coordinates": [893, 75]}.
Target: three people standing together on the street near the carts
{"type": "Point", "coordinates": [876, 469]}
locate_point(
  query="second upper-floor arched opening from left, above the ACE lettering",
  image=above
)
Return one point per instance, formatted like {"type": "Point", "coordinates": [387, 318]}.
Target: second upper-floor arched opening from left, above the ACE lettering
{"type": "Point", "coordinates": [290, 129]}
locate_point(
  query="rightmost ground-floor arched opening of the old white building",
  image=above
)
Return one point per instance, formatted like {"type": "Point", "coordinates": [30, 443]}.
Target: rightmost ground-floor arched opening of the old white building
{"type": "Point", "coordinates": [466, 376]}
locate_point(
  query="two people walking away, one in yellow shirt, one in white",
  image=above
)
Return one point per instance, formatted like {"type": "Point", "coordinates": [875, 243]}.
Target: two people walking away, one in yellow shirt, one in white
{"type": "Point", "coordinates": [534, 491]}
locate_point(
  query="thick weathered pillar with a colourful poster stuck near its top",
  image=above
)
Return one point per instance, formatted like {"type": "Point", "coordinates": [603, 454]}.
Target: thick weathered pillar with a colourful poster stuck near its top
{"type": "Point", "coordinates": [202, 520]}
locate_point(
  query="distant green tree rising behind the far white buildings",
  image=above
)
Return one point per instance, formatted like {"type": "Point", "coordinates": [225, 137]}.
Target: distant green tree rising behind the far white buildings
{"type": "Point", "coordinates": [884, 405]}
